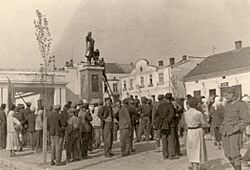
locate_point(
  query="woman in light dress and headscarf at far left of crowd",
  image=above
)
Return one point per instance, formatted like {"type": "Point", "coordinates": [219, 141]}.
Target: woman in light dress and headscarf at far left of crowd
{"type": "Point", "coordinates": [13, 125]}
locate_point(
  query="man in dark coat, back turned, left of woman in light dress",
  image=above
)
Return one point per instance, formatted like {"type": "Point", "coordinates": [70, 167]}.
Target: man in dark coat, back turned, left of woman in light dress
{"type": "Point", "coordinates": [164, 116]}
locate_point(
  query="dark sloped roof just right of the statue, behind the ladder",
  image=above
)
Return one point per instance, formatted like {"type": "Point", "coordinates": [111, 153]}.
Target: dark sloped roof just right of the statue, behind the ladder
{"type": "Point", "coordinates": [119, 68]}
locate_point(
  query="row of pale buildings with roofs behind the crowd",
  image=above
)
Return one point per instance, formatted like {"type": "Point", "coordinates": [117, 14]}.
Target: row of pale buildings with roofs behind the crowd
{"type": "Point", "coordinates": [198, 76]}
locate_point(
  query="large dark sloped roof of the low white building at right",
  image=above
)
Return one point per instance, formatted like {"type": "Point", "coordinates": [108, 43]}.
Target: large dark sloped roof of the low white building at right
{"type": "Point", "coordinates": [227, 61]}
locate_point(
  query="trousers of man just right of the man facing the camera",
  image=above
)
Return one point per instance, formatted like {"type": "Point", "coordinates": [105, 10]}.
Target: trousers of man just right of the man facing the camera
{"type": "Point", "coordinates": [125, 141]}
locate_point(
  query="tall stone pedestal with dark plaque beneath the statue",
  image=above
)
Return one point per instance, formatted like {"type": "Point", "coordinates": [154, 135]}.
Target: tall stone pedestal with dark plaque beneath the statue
{"type": "Point", "coordinates": [91, 83]}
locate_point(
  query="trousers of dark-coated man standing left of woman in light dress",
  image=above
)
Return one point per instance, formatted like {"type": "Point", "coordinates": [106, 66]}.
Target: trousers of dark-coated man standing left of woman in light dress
{"type": "Point", "coordinates": [168, 148]}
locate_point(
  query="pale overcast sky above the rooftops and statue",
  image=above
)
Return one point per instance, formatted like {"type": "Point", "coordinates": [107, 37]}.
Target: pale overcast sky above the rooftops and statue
{"type": "Point", "coordinates": [124, 30]}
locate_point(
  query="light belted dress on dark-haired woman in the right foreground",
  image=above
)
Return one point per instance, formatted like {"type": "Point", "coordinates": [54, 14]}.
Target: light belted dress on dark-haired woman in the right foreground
{"type": "Point", "coordinates": [195, 141]}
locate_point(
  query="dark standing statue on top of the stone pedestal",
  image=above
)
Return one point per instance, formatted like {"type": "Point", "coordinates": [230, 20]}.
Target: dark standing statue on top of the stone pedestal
{"type": "Point", "coordinates": [90, 42]}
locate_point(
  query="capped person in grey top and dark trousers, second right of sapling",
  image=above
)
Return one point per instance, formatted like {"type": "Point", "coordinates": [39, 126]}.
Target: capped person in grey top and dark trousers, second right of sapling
{"type": "Point", "coordinates": [72, 133]}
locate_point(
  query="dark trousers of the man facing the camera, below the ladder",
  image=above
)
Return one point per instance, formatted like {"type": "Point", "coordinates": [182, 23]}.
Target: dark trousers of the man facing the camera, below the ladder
{"type": "Point", "coordinates": [108, 138]}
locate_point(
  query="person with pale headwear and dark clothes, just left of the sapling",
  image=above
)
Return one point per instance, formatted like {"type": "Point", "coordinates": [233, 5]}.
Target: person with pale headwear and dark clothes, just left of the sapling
{"type": "Point", "coordinates": [31, 132]}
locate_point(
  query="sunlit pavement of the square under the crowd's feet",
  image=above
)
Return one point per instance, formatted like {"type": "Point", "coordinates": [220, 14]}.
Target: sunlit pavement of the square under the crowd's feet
{"type": "Point", "coordinates": [146, 157]}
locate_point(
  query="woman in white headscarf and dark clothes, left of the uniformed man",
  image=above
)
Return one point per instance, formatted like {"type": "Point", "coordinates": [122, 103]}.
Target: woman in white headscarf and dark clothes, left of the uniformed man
{"type": "Point", "coordinates": [217, 113]}
